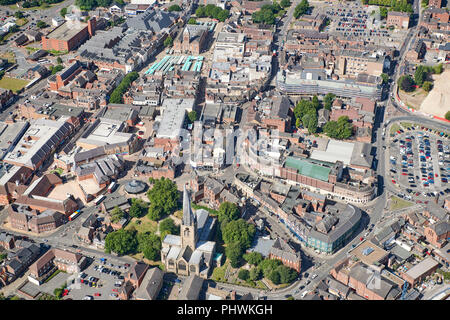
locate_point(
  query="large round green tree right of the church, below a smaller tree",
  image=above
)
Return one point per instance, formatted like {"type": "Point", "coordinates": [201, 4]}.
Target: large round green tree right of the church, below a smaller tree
{"type": "Point", "coordinates": [238, 231]}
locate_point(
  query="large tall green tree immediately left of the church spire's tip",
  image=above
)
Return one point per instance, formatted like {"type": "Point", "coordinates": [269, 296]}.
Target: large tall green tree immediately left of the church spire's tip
{"type": "Point", "coordinates": [163, 198]}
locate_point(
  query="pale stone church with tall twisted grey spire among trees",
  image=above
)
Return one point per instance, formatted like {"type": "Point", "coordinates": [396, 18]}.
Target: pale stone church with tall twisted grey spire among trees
{"type": "Point", "coordinates": [191, 252]}
